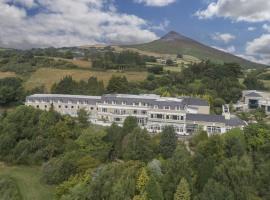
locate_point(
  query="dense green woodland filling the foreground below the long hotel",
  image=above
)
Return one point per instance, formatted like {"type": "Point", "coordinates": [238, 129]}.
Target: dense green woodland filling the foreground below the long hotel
{"type": "Point", "coordinates": [89, 162]}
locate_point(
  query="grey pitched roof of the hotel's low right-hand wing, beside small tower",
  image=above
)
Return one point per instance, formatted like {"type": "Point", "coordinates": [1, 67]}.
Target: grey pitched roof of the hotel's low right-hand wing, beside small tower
{"type": "Point", "coordinates": [205, 118]}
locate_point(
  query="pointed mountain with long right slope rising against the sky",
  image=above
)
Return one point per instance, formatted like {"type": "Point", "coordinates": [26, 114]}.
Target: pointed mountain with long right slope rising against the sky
{"type": "Point", "coordinates": [175, 43]}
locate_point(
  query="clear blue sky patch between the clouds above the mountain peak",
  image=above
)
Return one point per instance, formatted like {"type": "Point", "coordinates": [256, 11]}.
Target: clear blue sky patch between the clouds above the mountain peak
{"type": "Point", "coordinates": [181, 17]}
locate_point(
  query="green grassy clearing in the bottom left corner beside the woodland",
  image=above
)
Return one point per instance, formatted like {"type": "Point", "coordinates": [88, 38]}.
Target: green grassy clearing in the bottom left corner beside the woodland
{"type": "Point", "coordinates": [28, 182]}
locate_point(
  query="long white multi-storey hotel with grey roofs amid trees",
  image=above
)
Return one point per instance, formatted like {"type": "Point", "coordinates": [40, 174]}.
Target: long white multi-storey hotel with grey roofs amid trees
{"type": "Point", "coordinates": [185, 114]}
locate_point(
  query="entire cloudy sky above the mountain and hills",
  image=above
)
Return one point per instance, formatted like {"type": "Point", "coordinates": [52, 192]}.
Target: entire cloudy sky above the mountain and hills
{"type": "Point", "coordinates": [241, 27]}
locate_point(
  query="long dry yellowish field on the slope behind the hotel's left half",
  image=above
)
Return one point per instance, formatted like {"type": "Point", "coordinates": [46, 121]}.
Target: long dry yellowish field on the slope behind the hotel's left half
{"type": "Point", "coordinates": [49, 76]}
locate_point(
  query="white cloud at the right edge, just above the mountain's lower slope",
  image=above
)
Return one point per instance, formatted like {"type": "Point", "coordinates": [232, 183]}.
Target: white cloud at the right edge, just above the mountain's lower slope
{"type": "Point", "coordinates": [259, 49]}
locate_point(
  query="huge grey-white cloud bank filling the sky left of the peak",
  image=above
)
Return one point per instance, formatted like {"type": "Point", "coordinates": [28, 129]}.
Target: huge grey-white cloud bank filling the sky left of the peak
{"type": "Point", "coordinates": [68, 23]}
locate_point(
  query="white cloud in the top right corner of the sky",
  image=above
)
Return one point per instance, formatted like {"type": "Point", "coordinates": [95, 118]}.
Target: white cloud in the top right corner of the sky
{"type": "Point", "coordinates": [239, 10]}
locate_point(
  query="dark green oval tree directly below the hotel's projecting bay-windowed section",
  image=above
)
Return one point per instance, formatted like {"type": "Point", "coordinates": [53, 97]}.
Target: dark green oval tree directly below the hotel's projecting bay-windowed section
{"type": "Point", "coordinates": [168, 142]}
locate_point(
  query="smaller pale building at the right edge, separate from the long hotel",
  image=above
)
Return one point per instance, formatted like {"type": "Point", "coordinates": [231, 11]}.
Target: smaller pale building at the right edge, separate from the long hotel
{"type": "Point", "coordinates": [253, 99]}
